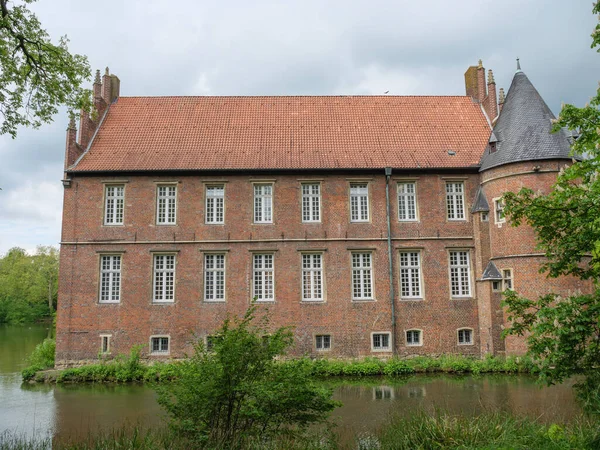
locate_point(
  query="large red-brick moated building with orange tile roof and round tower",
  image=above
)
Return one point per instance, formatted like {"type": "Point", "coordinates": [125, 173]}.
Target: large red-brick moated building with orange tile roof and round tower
{"type": "Point", "coordinates": [369, 223]}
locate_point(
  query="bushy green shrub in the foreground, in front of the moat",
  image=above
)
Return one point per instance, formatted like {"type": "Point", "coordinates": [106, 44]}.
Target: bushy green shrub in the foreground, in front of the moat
{"type": "Point", "coordinates": [237, 393]}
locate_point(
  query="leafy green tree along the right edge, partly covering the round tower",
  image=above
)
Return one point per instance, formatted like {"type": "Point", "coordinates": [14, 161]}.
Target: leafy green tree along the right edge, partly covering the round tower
{"type": "Point", "coordinates": [564, 332]}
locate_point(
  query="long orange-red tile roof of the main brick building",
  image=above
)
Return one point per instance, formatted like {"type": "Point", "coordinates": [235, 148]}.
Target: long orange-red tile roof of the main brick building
{"type": "Point", "coordinates": [354, 132]}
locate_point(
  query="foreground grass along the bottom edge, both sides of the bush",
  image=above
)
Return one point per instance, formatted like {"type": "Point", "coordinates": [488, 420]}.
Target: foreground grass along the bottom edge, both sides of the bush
{"type": "Point", "coordinates": [420, 431]}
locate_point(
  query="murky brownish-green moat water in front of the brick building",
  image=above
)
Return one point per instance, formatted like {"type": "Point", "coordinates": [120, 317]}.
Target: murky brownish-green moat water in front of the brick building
{"type": "Point", "coordinates": [71, 411]}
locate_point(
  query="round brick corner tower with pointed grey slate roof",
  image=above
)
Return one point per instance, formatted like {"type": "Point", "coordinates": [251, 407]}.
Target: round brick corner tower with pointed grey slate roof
{"type": "Point", "coordinates": [522, 152]}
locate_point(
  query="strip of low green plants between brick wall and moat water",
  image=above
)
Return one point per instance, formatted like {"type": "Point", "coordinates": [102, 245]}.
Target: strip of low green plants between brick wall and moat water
{"type": "Point", "coordinates": [132, 368]}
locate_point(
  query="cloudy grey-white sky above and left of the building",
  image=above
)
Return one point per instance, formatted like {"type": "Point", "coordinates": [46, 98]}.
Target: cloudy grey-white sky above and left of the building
{"type": "Point", "coordinates": [254, 47]}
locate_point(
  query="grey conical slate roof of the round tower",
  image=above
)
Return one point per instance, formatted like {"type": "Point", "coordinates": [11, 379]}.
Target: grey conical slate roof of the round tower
{"type": "Point", "coordinates": [523, 129]}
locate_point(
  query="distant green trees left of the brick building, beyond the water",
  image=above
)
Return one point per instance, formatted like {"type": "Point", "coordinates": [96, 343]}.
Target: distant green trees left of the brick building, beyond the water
{"type": "Point", "coordinates": [28, 285]}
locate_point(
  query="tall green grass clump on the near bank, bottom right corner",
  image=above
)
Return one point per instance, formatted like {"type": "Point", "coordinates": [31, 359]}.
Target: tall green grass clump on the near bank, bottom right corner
{"type": "Point", "coordinates": [488, 430]}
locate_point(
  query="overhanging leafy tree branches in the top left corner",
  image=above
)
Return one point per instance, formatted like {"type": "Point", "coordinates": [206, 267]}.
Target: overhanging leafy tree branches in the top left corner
{"type": "Point", "coordinates": [36, 76]}
